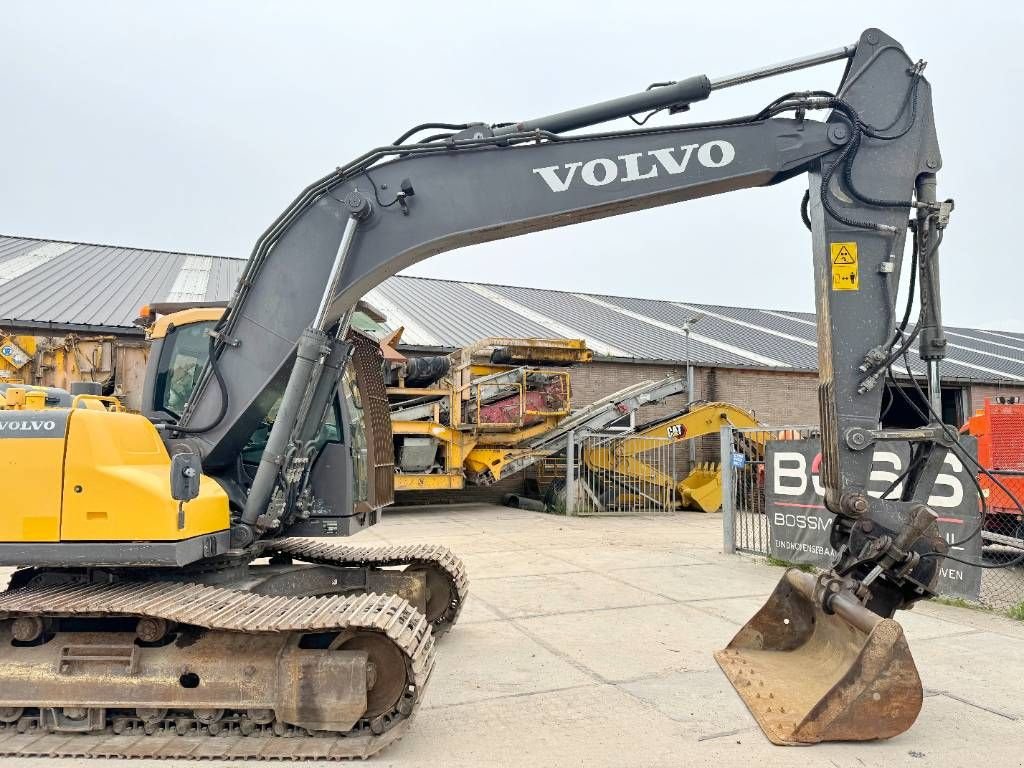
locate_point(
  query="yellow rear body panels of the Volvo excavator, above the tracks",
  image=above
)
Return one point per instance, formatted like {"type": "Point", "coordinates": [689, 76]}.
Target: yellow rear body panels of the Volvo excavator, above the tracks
{"type": "Point", "coordinates": [113, 484]}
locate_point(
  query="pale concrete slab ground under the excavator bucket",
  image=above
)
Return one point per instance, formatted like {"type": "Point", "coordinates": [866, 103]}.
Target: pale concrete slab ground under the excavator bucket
{"type": "Point", "coordinates": [588, 643]}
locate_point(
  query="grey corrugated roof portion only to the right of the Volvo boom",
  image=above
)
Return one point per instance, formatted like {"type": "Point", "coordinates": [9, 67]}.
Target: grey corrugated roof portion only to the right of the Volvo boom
{"type": "Point", "coordinates": [653, 330]}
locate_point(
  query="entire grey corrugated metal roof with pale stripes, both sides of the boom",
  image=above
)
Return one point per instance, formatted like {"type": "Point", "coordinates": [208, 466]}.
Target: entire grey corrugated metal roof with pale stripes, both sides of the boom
{"type": "Point", "coordinates": [75, 285]}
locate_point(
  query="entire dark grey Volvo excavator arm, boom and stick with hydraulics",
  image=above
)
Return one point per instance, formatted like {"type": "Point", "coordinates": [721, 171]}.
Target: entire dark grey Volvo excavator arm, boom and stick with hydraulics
{"type": "Point", "coordinates": [870, 164]}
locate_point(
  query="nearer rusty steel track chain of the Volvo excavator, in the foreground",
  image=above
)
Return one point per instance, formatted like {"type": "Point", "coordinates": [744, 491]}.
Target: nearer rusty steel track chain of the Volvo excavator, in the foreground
{"type": "Point", "coordinates": [229, 611]}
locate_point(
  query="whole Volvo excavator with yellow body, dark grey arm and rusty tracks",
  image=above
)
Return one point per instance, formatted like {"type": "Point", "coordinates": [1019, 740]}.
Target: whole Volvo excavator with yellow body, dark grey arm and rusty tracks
{"type": "Point", "coordinates": [179, 590]}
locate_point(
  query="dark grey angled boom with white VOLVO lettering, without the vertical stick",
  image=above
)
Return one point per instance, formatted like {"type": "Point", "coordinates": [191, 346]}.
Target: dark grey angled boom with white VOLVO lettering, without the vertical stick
{"type": "Point", "coordinates": [350, 234]}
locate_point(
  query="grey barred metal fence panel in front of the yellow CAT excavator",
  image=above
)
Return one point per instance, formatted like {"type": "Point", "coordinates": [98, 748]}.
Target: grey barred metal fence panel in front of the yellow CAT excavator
{"type": "Point", "coordinates": [614, 476]}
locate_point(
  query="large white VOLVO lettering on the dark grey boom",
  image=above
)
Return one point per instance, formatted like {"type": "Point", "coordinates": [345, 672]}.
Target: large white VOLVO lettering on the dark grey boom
{"type": "Point", "coordinates": [637, 166]}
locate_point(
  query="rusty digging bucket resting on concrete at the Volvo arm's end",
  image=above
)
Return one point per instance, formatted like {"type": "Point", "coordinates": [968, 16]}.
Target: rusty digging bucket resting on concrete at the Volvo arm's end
{"type": "Point", "coordinates": [808, 676]}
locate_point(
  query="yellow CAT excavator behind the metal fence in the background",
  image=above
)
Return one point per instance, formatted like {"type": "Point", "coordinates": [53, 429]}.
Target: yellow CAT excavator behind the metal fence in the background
{"type": "Point", "coordinates": [627, 479]}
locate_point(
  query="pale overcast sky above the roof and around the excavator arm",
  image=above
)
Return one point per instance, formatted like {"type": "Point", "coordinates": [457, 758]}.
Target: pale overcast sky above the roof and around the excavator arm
{"type": "Point", "coordinates": [189, 126]}
